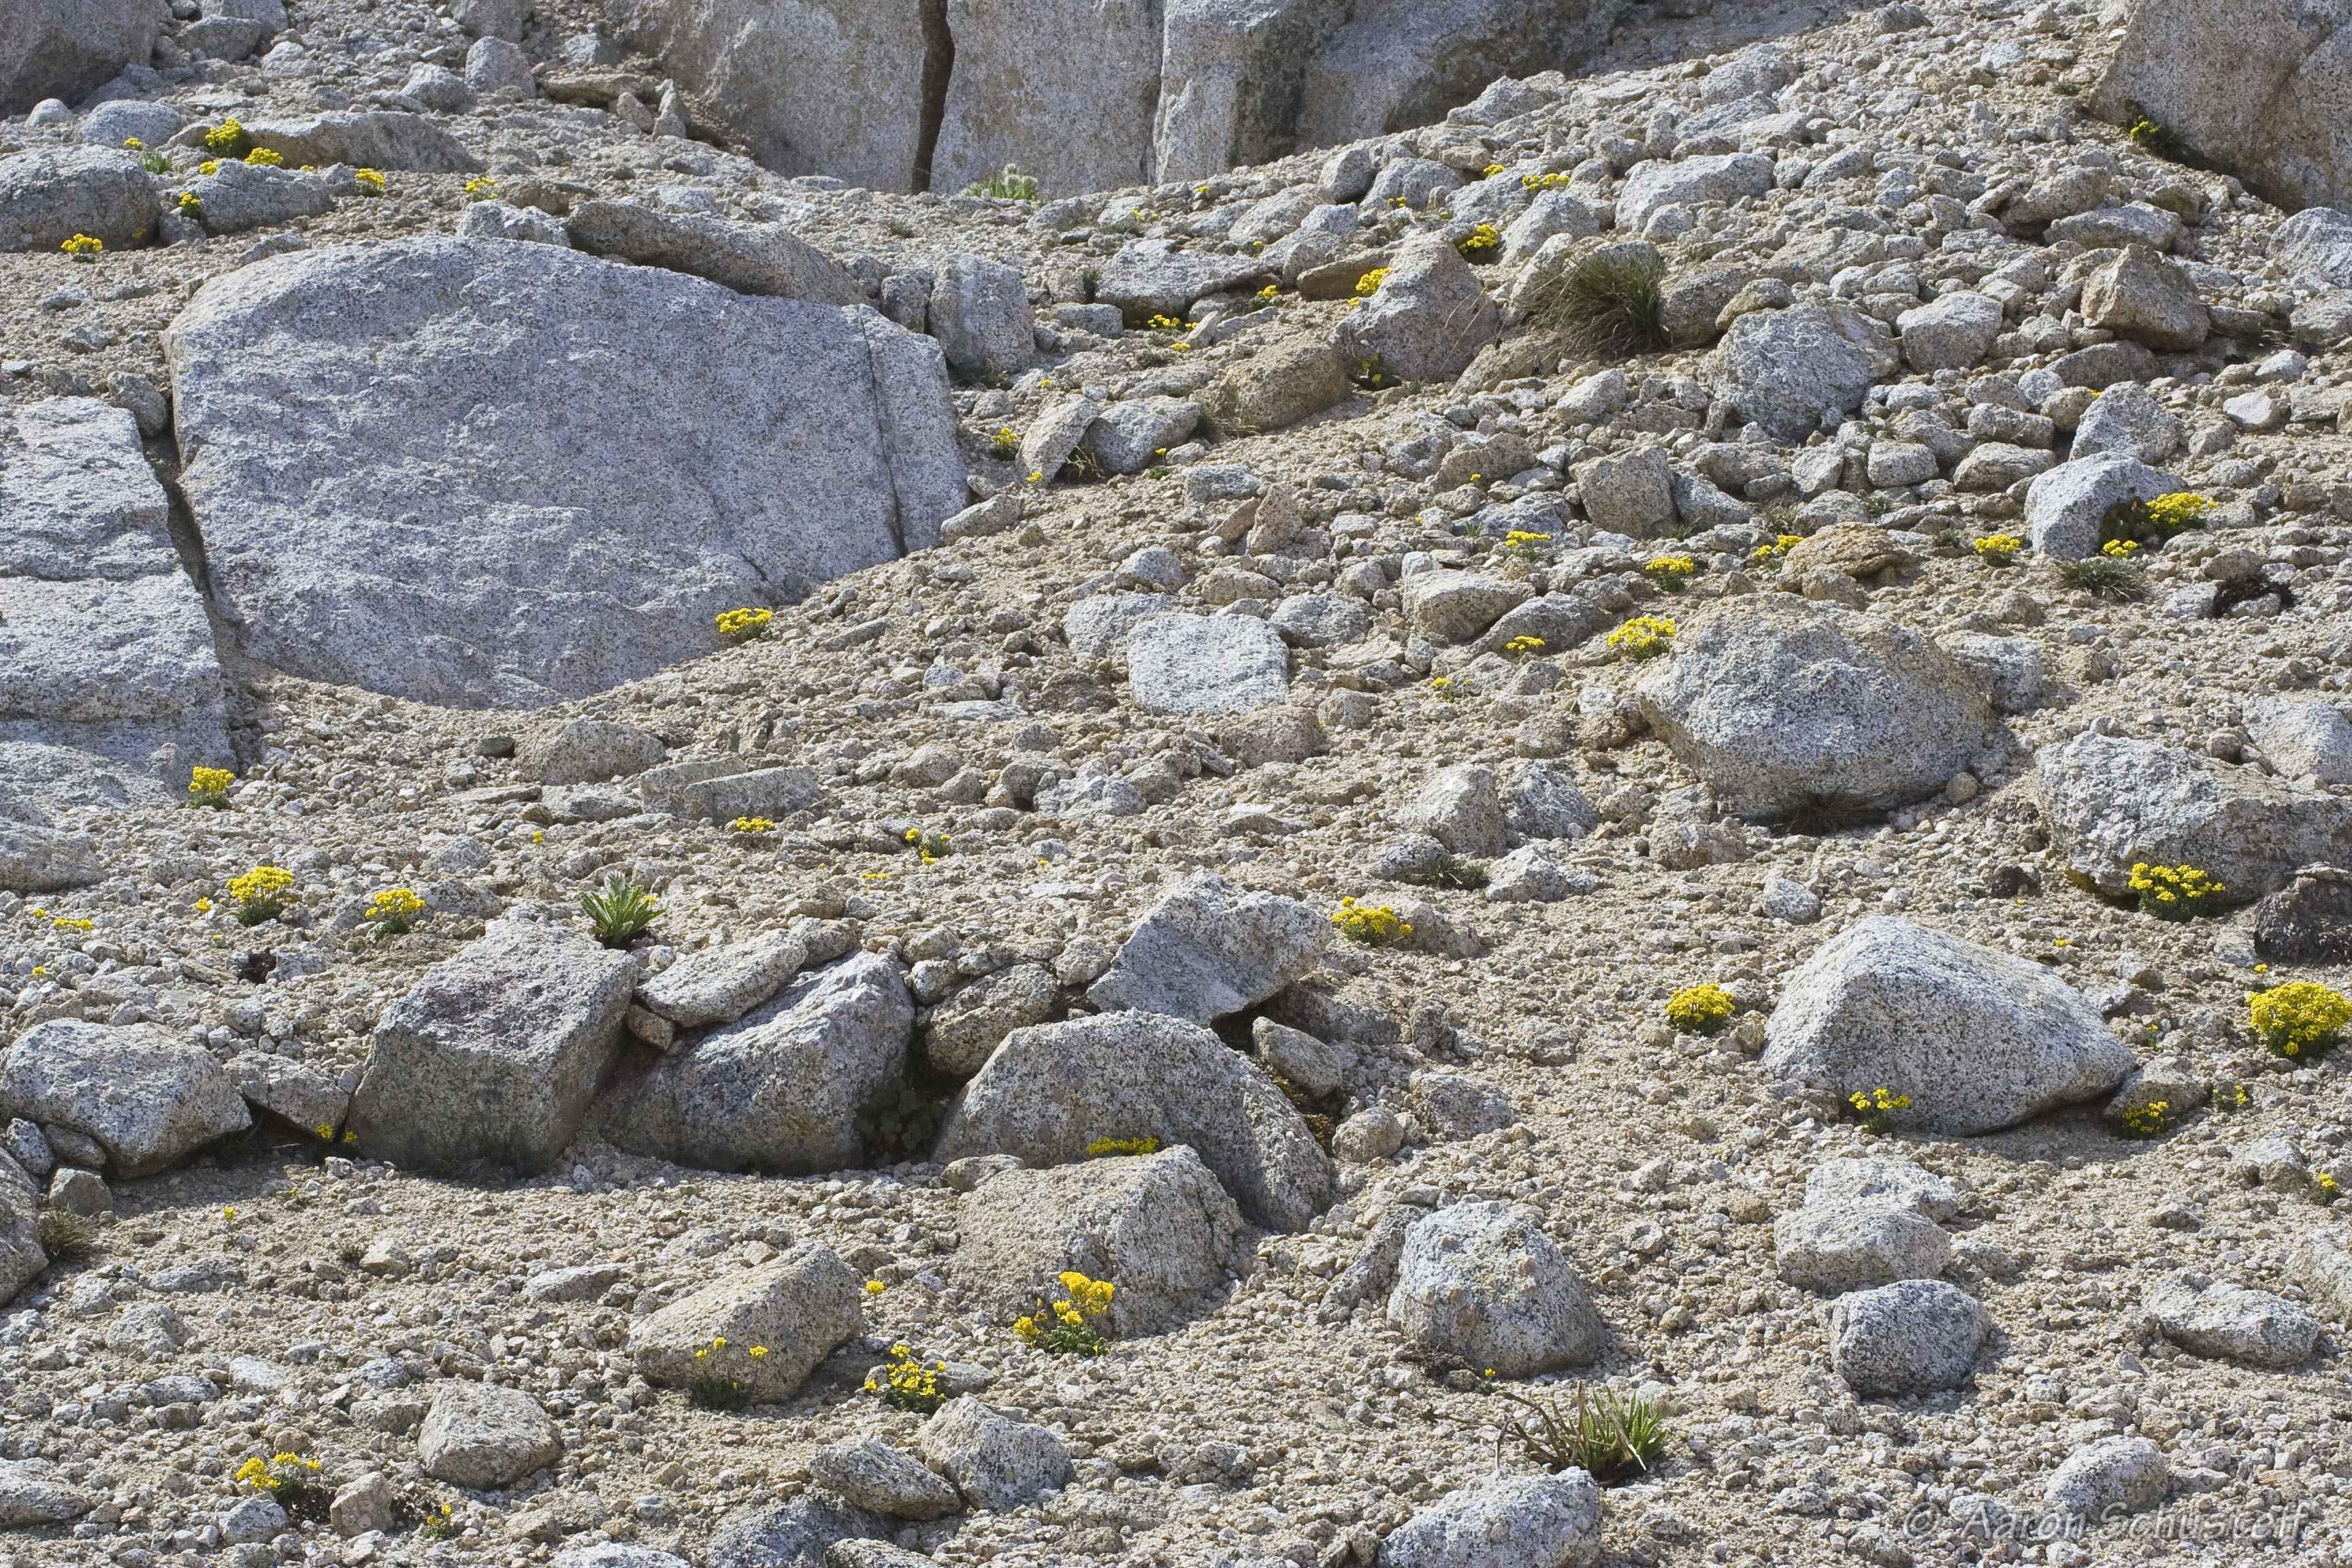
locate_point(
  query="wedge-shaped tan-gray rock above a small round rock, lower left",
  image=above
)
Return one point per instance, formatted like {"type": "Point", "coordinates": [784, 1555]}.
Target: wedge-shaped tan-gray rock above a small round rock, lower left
{"type": "Point", "coordinates": [799, 1311]}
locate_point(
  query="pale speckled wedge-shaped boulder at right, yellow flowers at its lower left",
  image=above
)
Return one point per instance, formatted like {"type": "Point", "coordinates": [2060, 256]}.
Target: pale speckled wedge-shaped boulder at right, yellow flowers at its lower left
{"type": "Point", "coordinates": [1979, 1040]}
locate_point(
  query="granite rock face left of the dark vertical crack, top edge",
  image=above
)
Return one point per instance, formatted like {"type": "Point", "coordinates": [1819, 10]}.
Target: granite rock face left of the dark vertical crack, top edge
{"type": "Point", "coordinates": [808, 86]}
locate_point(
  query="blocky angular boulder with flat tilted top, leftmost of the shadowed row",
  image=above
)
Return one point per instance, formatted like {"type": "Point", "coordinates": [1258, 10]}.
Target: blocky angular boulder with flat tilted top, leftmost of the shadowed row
{"type": "Point", "coordinates": [495, 1052]}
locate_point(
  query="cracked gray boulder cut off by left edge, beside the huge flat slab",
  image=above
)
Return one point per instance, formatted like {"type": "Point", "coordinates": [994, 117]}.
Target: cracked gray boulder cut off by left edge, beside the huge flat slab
{"type": "Point", "coordinates": [86, 540]}
